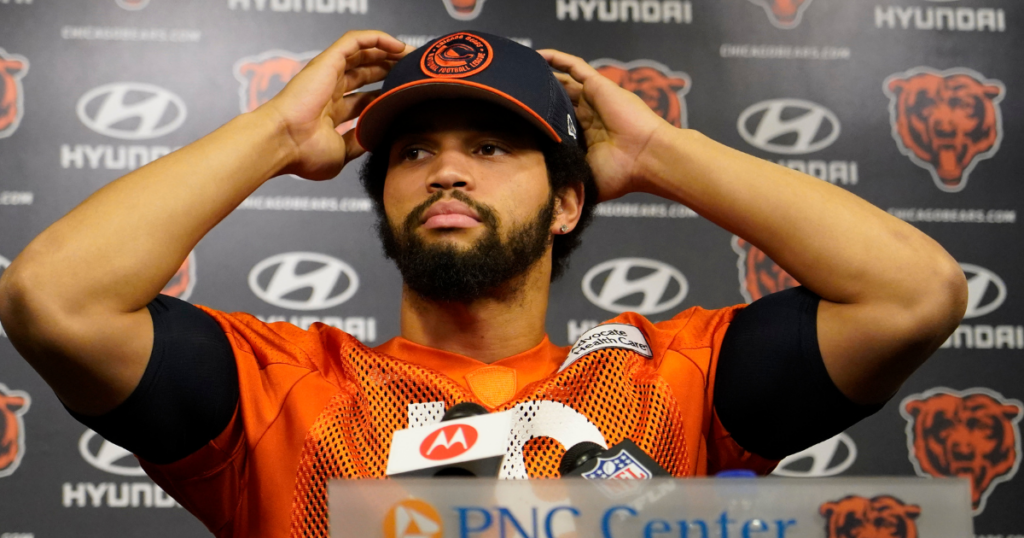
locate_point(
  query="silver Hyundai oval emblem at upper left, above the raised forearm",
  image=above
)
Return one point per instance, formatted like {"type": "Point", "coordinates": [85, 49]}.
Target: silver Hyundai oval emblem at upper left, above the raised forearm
{"type": "Point", "coordinates": [132, 111]}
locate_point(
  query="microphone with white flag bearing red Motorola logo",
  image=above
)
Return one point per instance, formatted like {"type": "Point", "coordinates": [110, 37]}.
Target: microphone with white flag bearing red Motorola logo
{"type": "Point", "coordinates": [468, 442]}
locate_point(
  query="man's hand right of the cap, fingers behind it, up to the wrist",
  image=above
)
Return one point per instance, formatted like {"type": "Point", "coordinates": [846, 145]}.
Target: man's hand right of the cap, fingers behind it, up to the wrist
{"type": "Point", "coordinates": [618, 126]}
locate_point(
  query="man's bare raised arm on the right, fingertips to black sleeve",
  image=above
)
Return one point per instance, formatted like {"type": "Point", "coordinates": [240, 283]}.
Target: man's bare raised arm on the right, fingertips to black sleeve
{"type": "Point", "coordinates": [890, 295]}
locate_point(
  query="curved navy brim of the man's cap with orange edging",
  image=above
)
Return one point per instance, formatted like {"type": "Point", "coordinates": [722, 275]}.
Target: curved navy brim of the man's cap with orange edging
{"type": "Point", "coordinates": [378, 117]}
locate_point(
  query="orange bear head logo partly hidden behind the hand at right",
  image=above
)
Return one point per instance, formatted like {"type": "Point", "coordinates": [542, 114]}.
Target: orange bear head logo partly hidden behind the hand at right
{"type": "Point", "coordinates": [662, 89]}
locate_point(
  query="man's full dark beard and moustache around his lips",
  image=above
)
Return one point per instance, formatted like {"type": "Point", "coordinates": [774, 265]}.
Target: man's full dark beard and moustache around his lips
{"type": "Point", "coordinates": [491, 268]}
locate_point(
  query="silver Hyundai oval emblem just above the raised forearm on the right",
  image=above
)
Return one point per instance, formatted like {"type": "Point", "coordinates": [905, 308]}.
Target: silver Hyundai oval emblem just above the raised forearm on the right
{"type": "Point", "coordinates": [789, 127]}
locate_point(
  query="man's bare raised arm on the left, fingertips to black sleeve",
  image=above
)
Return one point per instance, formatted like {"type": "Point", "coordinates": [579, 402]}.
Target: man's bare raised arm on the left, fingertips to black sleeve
{"type": "Point", "coordinates": [74, 302]}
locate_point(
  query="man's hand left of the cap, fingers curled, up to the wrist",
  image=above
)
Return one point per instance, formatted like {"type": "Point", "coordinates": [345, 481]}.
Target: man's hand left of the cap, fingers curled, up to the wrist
{"type": "Point", "coordinates": [320, 99]}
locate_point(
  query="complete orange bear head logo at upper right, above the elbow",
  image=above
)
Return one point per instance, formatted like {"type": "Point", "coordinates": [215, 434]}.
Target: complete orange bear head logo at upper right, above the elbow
{"type": "Point", "coordinates": [946, 121]}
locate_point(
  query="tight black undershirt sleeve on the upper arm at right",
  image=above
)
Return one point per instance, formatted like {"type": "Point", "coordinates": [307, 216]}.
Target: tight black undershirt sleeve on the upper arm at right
{"type": "Point", "coordinates": [774, 396]}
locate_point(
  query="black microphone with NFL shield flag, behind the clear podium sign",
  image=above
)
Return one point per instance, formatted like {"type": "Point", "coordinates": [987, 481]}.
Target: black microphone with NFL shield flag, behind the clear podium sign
{"type": "Point", "coordinates": [625, 461]}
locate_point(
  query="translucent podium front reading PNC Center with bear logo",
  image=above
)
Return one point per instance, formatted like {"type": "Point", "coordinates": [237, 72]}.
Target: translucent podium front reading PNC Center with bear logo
{"type": "Point", "coordinates": [770, 508]}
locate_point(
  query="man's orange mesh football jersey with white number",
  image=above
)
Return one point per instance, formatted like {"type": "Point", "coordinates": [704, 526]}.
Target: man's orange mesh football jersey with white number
{"type": "Point", "coordinates": [317, 405]}
